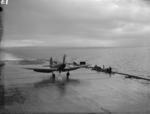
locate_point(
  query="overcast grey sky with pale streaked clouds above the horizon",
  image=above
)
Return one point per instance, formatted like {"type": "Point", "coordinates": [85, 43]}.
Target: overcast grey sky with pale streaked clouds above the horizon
{"type": "Point", "coordinates": [76, 23]}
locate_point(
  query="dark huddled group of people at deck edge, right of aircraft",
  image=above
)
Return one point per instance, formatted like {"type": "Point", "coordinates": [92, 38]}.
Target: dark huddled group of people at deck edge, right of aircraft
{"type": "Point", "coordinates": [103, 69]}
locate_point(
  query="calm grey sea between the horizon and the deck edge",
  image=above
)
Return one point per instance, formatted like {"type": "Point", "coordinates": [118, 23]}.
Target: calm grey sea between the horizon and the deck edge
{"type": "Point", "coordinates": [128, 59]}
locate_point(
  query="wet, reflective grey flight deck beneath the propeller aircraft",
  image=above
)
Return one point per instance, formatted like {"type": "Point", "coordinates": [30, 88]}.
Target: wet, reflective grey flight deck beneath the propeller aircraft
{"type": "Point", "coordinates": [87, 91]}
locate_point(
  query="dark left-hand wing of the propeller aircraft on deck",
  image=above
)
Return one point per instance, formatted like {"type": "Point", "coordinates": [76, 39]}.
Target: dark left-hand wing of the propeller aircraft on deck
{"type": "Point", "coordinates": [42, 70]}
